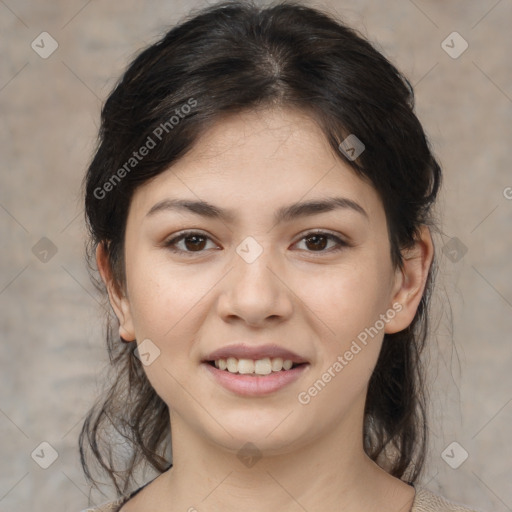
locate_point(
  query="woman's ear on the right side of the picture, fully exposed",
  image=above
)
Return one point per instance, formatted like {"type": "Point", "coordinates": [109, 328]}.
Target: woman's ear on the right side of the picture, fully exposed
{"type": "Point", "coordinates": [410, 281]}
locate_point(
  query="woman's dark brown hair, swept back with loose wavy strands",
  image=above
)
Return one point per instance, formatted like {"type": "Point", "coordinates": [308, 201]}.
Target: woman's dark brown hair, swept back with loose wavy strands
{"type": "Point", "coordinates": [237, 56]}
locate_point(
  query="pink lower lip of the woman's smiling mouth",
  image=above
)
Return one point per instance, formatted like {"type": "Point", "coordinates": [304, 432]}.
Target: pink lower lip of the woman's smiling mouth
{"type": "Point", "coordinates": [250, 385]}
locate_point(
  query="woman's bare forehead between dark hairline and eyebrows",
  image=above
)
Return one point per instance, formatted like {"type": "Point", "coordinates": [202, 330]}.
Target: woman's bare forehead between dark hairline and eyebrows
{"type": "Point", "coordinates": [256, 161]}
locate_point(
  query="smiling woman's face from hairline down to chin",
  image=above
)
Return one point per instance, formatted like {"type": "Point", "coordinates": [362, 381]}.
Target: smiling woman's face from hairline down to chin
{"type": "Point", "coordinates": [251, 271]}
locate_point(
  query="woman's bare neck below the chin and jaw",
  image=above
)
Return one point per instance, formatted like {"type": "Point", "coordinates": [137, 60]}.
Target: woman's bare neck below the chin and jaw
{"type": "Point", "coordinates": [329, 473]}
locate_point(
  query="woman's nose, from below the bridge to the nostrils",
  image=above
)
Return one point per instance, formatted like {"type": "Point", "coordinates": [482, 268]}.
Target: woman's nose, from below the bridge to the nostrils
{"type": "Point", "coordinates": [256, 292]}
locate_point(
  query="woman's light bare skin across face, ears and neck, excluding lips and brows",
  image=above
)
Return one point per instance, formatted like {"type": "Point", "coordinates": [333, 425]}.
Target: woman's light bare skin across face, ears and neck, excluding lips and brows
{"type": "Point", "coordinates": [298, 293]}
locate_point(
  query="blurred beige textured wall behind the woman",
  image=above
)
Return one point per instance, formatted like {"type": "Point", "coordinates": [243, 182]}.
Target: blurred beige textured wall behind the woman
{"type": "Point", "coordinates": [52, 350]}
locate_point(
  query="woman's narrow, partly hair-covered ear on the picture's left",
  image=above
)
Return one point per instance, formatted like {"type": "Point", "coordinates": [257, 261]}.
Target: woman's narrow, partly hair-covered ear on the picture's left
{"type": "Point", "coordinates": [116, 295]}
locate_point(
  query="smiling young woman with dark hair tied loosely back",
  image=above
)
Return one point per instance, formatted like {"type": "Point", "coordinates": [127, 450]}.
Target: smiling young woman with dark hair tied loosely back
{"type": "Point", "coordinates": [259, 208]}
